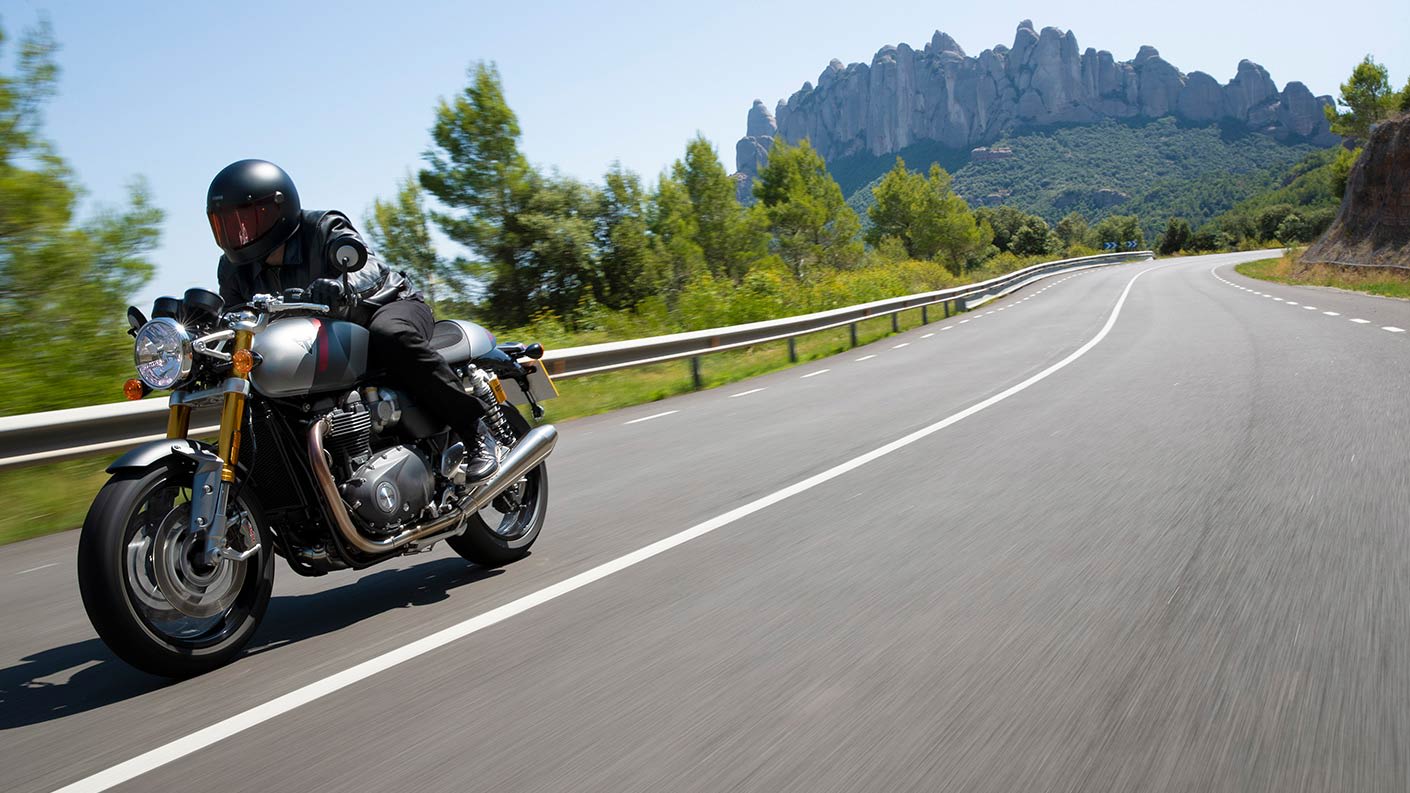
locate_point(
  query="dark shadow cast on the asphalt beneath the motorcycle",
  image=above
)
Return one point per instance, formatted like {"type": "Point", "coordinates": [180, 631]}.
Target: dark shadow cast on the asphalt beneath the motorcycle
{"type": "Point", "coordinates": [82, 677]}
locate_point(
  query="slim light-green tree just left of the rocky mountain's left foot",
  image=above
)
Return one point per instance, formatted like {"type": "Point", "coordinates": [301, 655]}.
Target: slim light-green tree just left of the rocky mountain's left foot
{"type": "Point", "coordinates": [731, 238]}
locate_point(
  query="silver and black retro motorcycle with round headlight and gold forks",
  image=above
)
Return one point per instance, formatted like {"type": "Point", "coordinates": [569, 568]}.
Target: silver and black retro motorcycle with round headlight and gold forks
{"type": "Point", "coordinates": [319, 461]}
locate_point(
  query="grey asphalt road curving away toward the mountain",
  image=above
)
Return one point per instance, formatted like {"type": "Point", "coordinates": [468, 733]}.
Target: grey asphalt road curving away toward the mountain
{"type": "Point", "coordinates": [1139, 528]}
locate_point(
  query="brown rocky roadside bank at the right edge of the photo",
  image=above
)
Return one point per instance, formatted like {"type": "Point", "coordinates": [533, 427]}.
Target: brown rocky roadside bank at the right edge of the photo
{"type": "Point", "coordinates": [1374, 222]}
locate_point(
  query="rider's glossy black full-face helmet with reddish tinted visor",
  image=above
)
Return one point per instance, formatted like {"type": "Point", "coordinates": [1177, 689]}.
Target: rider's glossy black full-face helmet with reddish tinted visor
{"type": "Point", "coordinates": [253, 210]}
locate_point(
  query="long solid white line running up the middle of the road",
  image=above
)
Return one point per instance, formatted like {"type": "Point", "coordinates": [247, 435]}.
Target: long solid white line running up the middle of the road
{"type": "Point", "coordinates": [317, 691]}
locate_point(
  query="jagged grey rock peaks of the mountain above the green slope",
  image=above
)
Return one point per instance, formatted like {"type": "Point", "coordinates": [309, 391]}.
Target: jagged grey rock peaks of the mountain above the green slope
{"type": "Point", "coordinates": [943, 97]}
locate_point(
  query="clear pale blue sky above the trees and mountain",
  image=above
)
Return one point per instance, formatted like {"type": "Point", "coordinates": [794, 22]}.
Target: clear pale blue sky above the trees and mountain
{"type": "Point", "coordinates": [342, 94]}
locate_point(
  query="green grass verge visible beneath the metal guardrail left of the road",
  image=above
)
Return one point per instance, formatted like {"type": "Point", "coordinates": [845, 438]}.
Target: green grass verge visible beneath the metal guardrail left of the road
{"type": "Point", "coordinates": [56, 497]}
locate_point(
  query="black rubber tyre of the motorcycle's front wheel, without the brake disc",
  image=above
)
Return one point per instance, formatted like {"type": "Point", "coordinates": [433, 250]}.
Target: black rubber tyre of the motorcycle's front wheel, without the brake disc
{"type": "Point", "coordinates": [129, 613]}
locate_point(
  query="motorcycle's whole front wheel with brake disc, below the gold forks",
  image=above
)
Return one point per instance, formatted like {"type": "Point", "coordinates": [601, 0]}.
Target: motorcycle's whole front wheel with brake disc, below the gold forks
{"type": "Point", "coordinates": [143, 591]}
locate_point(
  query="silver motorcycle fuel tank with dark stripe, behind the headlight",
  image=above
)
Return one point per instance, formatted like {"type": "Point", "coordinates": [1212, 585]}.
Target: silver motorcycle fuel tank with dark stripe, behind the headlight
{"type": "Point", "coordinates": [304, 355]}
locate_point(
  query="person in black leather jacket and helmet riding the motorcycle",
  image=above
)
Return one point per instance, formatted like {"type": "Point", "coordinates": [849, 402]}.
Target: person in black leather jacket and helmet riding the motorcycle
{"type": "Point", "coordinates": [271, 245]}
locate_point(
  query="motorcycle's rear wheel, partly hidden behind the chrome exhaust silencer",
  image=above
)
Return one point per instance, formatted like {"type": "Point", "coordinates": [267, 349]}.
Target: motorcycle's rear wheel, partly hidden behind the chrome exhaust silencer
{"type": "Point", "coordinates": [504, 531]}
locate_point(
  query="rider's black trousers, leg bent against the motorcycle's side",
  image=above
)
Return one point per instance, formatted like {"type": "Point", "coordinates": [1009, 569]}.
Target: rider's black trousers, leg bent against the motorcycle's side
{"type": "Point", "coordinates": [401, 337]}
